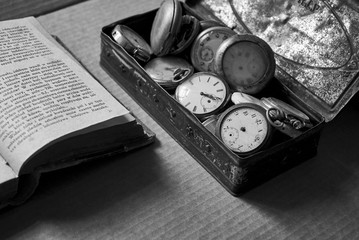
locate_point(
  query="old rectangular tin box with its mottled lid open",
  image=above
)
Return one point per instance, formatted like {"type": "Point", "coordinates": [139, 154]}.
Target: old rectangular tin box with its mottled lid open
{"type": "Point", "coordinates": [309, 78]}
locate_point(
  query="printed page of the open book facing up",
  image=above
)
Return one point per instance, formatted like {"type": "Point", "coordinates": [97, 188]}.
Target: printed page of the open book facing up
{"type": "Point", "coordinates": [44, 93]}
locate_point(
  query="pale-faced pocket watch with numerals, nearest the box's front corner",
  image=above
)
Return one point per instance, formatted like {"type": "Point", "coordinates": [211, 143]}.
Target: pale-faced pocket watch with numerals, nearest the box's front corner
{"type": "Point", "coordinates": [244, 128]}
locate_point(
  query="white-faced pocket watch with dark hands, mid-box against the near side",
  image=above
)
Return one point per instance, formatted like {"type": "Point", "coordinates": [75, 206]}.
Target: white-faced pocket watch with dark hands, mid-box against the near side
{"type": "Point", "coordinates": [203, 93]}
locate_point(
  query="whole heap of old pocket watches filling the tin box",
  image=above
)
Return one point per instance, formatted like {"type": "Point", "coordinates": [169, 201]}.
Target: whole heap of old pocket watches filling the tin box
{"type": "Point", "coordinates": [215, 73]}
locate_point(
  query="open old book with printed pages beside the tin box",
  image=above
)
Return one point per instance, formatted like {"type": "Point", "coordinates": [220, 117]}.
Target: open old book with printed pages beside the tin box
{"type": "Point", "coordinates": [54, 114]}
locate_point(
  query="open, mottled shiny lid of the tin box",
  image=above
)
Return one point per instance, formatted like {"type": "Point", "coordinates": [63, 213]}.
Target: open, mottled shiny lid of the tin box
{"type": "Point", "coordinates": [316, 44]}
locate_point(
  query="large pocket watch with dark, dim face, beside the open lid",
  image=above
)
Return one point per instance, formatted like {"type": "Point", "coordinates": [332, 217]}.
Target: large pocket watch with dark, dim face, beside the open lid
{"type": "Point", "coordinates": [246, 62]}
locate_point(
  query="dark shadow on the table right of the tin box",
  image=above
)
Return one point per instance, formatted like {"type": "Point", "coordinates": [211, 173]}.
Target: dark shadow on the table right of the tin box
{"type": "Point", "coordinates": [329, 178]}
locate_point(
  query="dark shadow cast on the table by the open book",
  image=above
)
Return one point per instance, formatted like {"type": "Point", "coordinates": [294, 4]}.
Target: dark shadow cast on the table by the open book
{"type": "Point", "coordinates": [86, 189]}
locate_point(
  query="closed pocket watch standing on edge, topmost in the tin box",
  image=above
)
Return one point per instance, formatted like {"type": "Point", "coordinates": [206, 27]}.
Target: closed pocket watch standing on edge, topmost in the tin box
{"type": "Point", "coordinates": [165, 27]}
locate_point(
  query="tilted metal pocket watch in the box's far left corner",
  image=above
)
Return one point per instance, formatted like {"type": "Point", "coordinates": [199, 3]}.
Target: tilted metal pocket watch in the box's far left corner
{"type": "Point", "coordinates": [132, 42]}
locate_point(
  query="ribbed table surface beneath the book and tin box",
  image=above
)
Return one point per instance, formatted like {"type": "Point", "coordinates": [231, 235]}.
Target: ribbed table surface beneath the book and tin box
{"type": "Point", "coordinates": [161, 192]}
